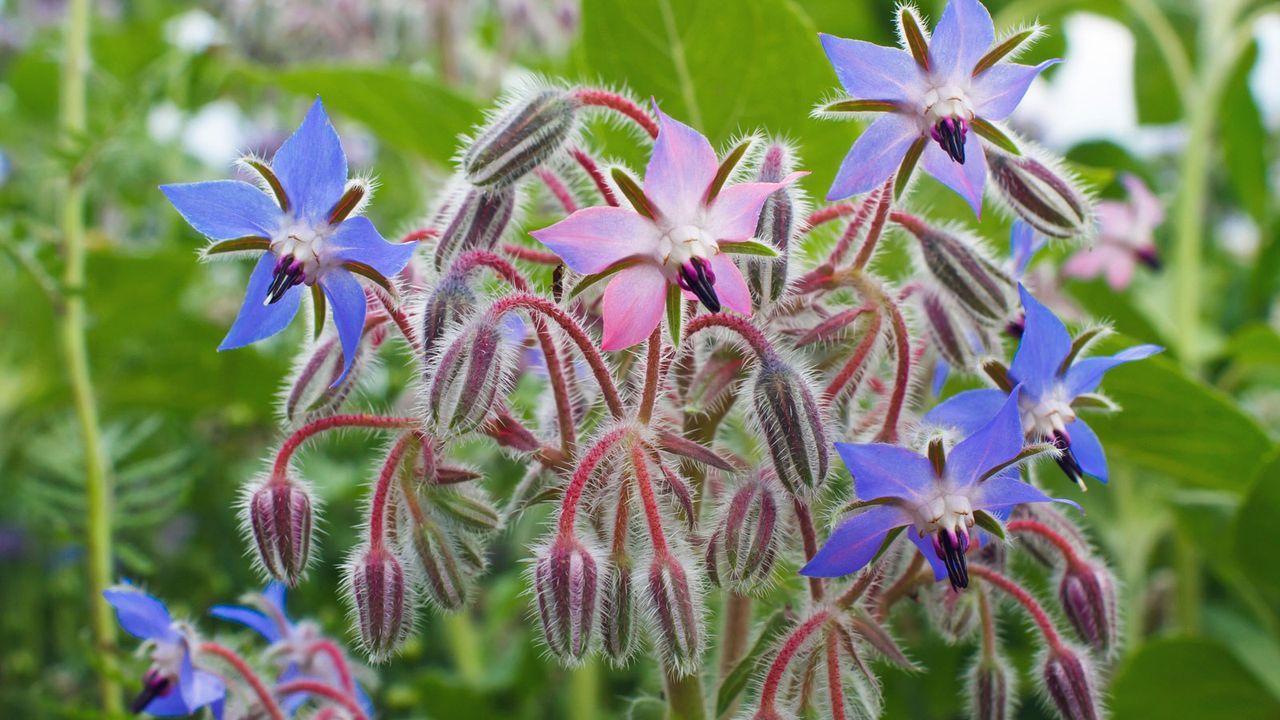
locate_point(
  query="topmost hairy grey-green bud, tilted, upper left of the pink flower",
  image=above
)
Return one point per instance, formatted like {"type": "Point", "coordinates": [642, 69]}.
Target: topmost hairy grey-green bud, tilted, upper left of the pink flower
{"type": "Point", "coordinates": [520, 138]}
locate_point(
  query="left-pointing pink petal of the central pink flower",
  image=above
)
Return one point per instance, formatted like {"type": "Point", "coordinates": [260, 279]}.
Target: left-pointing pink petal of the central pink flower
{"type": "Point", "coordinates": [592, 240]}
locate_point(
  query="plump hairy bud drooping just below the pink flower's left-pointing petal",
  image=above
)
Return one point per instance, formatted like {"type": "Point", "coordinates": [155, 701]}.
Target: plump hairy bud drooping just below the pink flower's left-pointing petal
{"type": "Point", "coordinates": [465, 380]}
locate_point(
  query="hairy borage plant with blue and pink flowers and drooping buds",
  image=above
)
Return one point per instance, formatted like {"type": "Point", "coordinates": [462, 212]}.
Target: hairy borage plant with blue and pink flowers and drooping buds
{"type": "Point", "coordinates": [693, 404]}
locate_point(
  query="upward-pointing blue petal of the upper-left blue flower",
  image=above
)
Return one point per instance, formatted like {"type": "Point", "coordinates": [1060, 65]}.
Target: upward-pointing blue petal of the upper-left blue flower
{"type": "Point", "coordinates": [312, 167]}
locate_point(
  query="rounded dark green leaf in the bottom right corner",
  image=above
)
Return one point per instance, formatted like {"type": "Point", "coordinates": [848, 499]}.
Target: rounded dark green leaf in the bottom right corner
{"type": "Point", "coordinates": [1190, 678]}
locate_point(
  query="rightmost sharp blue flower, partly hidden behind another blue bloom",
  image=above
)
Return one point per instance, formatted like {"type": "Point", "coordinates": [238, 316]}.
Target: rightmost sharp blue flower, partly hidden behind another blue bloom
{"type": "Point", "coordinates": [1053, 380]}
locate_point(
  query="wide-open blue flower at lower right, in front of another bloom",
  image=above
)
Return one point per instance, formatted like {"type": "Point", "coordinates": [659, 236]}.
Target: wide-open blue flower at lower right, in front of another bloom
{"type": "Point", "coordinates": [939, 499]}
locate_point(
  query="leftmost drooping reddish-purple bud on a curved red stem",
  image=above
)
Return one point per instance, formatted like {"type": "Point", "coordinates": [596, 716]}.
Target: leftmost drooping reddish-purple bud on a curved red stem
{"type": "Point", "coordinates": [281, 517]}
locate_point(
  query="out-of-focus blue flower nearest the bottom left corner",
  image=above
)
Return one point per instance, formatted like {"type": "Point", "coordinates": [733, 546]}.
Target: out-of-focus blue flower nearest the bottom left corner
{"type": "Point", "coordinates": [172, 687]}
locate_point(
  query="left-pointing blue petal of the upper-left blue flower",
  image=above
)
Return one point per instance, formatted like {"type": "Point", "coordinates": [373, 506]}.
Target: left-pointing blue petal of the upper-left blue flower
{"type": "Point", "coordinates": [225, 209]}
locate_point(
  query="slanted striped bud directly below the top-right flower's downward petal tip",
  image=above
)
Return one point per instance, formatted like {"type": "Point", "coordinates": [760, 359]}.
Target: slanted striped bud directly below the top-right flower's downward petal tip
{"type": "Point", "coordinates": [964, 272]}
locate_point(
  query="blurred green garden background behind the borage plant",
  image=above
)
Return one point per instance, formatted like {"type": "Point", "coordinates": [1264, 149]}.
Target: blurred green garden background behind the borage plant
{"type": "Point", "coordinates": [1183, 94]}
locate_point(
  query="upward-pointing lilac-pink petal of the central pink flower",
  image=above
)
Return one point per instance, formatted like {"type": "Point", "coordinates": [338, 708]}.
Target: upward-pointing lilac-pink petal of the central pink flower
{"type": "Point", "coordinates": [680, 170]}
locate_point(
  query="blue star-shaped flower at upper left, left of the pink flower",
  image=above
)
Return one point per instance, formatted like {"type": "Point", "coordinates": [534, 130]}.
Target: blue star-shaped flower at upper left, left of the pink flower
{"type": "Point", "coordinates": [309, 235]}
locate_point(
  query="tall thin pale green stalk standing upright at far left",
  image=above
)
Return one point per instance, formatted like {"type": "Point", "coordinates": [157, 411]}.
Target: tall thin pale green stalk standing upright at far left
{"type": "Point", "coordinates": [98, 484]}
